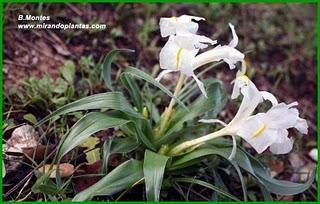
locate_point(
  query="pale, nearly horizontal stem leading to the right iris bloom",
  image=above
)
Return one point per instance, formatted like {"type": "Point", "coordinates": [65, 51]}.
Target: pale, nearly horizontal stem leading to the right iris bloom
{"type": "Point", "coordinates": [196, 142]}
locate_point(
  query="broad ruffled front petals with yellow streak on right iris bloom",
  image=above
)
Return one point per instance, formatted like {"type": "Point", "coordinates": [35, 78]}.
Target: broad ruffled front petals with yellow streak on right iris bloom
{"type": "Point", "coordinates": [269, 129]}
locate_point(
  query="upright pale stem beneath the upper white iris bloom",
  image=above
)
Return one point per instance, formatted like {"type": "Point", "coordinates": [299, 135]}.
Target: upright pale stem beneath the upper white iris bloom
{"type": "Point", "coordinates": [168, 111]}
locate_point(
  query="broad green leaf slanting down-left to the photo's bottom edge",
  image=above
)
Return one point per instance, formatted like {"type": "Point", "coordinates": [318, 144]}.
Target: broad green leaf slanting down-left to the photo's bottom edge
{"type": "Point", "coordinates": [120, 178]}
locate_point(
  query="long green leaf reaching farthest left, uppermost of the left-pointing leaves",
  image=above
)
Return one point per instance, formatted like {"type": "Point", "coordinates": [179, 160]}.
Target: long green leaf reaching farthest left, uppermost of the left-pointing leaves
{"type": "Point", "coordinates": [109, 100]}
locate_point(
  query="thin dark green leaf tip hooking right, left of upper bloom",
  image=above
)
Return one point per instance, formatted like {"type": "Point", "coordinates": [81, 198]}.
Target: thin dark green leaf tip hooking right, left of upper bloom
{"type": "Point", "coordinates": [106, 66]}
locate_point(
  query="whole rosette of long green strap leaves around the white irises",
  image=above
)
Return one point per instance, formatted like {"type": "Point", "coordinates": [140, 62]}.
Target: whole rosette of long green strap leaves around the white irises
{"type": "Point", "coordinates": [149, 166]}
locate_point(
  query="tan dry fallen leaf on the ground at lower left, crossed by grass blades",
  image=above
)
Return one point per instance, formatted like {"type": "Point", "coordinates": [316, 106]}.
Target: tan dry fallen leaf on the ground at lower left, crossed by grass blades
{"type": "Point", "coordinates": [65, 169]}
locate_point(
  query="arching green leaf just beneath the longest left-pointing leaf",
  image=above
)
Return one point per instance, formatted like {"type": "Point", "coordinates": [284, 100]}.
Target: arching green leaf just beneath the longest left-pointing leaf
{"type": "Point", "coordinates": [85, 127]}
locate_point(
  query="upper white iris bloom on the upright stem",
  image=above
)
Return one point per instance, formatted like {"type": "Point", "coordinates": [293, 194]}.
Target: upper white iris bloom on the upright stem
{"type": "Point", "coordinates": [179, 53]}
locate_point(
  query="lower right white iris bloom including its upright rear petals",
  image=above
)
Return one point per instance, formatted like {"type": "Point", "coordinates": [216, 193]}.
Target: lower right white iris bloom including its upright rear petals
{"type": "Point", "coordinates": [268, 129]}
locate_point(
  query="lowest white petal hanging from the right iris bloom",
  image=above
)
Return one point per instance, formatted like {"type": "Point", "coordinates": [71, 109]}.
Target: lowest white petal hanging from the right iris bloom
{"type": "Point", "coordinates": [283, 145]}
